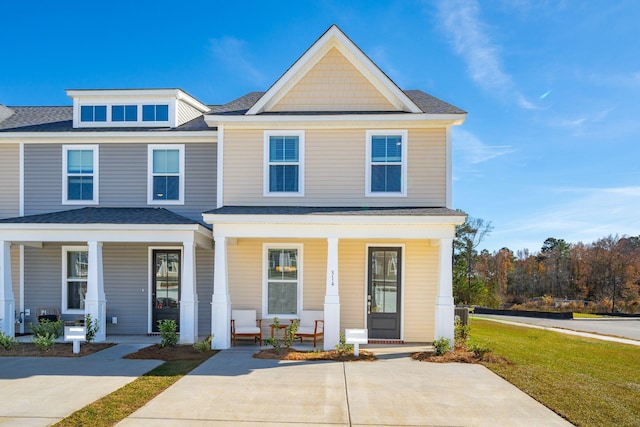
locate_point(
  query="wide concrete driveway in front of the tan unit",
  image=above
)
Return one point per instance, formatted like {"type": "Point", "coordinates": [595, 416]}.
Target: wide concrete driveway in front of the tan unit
{"type": "Point", "coordinates": [233, 389]}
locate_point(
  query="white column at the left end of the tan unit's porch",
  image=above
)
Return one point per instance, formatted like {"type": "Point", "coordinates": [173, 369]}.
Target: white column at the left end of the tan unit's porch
{"type": "Point", "coordinates": [220, 303]}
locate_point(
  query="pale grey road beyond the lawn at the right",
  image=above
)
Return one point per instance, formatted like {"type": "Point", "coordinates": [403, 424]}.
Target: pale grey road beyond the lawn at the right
{"type": "Point", "coordinates": [619, 327]}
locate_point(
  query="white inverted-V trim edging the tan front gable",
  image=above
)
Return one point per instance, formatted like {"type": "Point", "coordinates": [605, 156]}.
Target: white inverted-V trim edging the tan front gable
{"type": "Point", "coordinates": [333, 37]}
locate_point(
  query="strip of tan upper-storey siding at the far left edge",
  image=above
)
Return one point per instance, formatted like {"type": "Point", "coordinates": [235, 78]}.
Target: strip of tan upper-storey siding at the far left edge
{"type": "Point", "coordinates": [10, 179]}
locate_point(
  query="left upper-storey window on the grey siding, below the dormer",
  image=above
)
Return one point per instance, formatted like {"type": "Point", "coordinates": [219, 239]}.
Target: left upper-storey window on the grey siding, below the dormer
{"type": "Point", "coordinates": [80, 174]}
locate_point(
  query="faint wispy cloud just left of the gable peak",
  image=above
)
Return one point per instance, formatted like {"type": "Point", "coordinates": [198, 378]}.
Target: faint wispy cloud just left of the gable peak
{"type": "Point", "coordinates": [231, 52]}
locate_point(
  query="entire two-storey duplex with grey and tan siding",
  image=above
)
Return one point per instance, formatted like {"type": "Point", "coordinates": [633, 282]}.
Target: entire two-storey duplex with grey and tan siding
{"type": "Point", "coordinates": [330, 191]}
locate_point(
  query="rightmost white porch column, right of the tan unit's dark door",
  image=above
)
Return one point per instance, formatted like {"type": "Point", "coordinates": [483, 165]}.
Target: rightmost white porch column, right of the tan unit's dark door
{"type": "Point", "coordinates": [444, 301]}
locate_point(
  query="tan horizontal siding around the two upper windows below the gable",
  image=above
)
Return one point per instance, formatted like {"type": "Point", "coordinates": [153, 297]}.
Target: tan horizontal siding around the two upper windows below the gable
{"type": "Point", "coordinates": [335, 159]}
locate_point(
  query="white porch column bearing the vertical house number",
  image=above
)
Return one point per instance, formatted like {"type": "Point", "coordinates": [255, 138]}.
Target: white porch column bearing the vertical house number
{"type": "Point", "coordinates": [332, 297]}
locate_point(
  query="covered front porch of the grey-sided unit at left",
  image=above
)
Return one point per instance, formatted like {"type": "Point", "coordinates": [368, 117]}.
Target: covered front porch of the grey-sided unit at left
{"type": "Point", "coordinates": [102, 262]}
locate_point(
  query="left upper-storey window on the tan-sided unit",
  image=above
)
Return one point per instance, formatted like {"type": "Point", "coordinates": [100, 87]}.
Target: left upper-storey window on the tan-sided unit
{"type": "Point", "coordinates": [284, 163]}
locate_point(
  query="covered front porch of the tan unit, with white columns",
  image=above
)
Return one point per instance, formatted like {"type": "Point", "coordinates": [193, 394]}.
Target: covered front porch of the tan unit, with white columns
{"type": "Point", "coordinates": [334, 249]}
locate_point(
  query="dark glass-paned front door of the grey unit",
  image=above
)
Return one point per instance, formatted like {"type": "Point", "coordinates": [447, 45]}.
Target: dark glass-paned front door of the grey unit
{"type": "Point", "coordinates": [166, 287]}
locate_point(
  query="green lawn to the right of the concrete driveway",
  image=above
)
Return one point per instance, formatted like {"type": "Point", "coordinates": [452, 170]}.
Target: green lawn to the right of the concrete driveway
{"type": "Point", "coordinates": [589, 382]}
